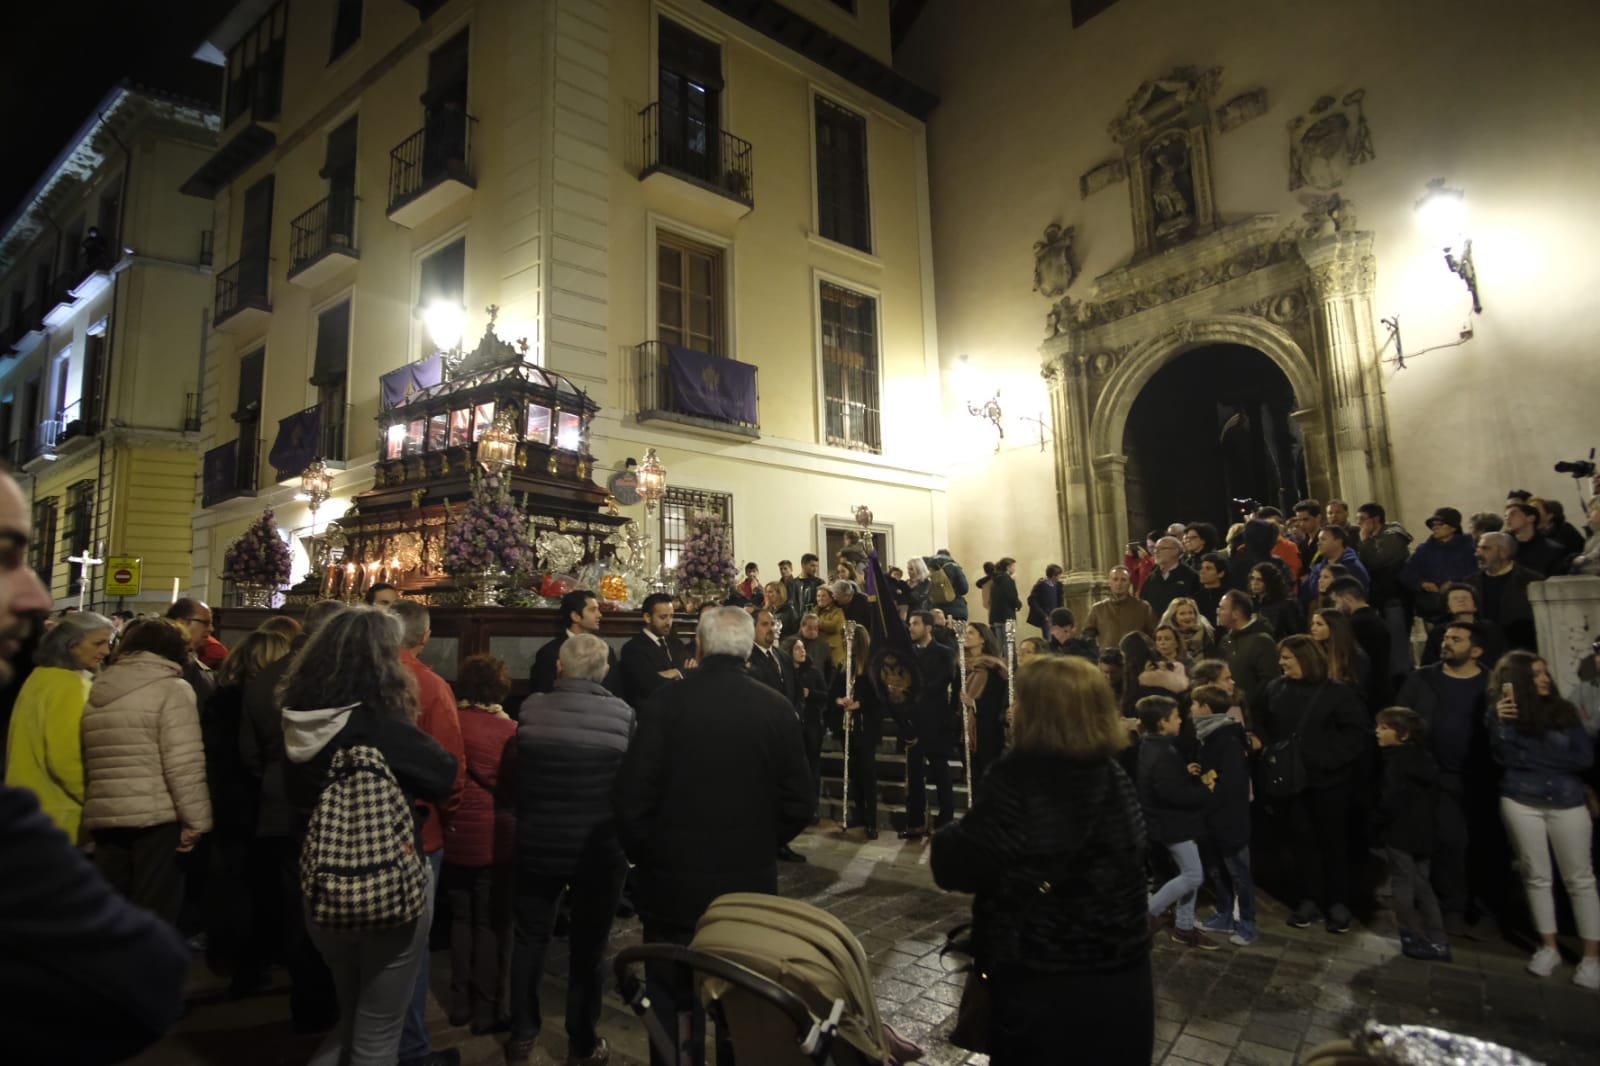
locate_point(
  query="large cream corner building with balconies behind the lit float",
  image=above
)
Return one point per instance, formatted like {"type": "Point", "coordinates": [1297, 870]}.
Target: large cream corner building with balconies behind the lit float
{"type": "Point", "coordinates": [639, 190]}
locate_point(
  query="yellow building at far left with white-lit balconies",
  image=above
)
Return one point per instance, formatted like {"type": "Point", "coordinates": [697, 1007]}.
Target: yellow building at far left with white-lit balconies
{"type": "Point", "coordinates": [105, 294]}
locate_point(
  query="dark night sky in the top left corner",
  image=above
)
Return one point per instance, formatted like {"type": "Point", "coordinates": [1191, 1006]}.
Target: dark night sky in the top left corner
{"type": "Point", "coordinates": [58, 58]}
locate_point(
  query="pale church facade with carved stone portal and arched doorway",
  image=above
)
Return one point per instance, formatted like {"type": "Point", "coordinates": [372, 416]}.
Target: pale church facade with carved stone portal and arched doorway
{"type": "Point", "coordinates": [1233, 199]}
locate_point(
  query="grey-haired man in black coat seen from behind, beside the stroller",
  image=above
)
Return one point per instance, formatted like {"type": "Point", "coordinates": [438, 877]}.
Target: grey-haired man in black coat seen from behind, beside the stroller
{"type": "Point", "coordinates": [713, 785]}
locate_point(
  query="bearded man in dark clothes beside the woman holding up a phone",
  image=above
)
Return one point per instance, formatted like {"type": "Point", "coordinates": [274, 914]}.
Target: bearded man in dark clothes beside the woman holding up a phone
{"type": "Point", "coordinates": [1450, 697]}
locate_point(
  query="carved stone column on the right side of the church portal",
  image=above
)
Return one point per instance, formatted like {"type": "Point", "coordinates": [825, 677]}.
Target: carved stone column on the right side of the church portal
{"type": "Point", "coordinates": [1342, 268]}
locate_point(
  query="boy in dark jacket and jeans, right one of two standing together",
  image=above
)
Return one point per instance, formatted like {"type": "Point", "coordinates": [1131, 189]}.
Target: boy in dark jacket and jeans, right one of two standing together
{"type": "Point", "coordinates": [1225, 750]}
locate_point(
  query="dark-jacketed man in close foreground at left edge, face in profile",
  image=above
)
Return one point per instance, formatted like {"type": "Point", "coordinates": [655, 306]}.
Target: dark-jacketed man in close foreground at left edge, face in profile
{"type": "Point", "coordinates": [74, 950]}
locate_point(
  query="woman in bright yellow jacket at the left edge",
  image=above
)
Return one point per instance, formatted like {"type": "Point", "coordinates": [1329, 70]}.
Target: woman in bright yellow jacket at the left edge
{"type": "Point", "coordinates": [44, 747]}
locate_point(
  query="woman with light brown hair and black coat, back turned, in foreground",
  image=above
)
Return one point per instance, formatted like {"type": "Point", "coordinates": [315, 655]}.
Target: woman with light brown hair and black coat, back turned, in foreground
{"type": "Point", "coordinates": [1054, 852]}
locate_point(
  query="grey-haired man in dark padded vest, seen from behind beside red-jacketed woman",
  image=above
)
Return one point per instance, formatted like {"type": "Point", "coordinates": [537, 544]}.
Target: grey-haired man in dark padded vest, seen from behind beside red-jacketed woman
{"type": "Point", "coordinates": [570, 745]}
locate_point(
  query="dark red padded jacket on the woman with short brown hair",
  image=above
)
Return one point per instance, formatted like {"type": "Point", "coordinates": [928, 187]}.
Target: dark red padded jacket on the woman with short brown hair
{"type": "Point", "coordinates": [482, 832]}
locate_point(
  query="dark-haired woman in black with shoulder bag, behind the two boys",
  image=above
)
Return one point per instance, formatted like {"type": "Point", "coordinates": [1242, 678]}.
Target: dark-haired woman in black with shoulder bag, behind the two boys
{"type": "Point", "coordinates": [1329, 724]}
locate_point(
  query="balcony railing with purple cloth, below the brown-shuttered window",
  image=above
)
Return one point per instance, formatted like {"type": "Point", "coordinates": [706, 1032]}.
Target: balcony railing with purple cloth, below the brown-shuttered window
{"type": "Point", "coordinates": [724, 395]}
